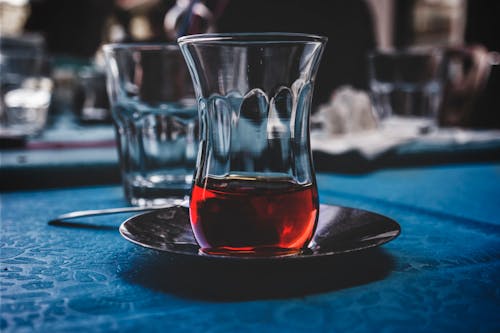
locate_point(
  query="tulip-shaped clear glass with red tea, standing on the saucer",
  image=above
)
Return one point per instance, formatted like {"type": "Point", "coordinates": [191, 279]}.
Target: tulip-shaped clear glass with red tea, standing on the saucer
{"type": "Point", "coordinates": [254, 191]}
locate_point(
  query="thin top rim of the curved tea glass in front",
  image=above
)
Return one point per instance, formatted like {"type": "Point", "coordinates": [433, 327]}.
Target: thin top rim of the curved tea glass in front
{"type": "Point", "coordinates": [252, 38]}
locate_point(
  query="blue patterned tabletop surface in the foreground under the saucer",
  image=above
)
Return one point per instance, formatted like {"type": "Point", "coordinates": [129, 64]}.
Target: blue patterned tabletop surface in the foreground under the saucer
{"type": "Point", "coordinates": [441, 274]}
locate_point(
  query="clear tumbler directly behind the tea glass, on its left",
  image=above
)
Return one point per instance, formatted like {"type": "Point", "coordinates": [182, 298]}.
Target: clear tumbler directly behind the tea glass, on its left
{"type": "Point", "coordinates": [156, 120]}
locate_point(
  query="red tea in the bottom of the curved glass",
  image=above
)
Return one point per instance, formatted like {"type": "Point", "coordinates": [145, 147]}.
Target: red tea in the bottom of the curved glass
{"type": "Point", "coordinates": [258, 215]}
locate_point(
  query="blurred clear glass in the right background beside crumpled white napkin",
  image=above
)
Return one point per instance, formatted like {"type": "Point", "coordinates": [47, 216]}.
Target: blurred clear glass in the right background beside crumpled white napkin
{"type": "Point", "coordinates": [407, 85]}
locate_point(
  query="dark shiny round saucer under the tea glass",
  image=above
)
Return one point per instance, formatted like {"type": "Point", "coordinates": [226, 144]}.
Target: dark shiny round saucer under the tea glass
{"type": "Point", "coordinates": [339, 230]}
